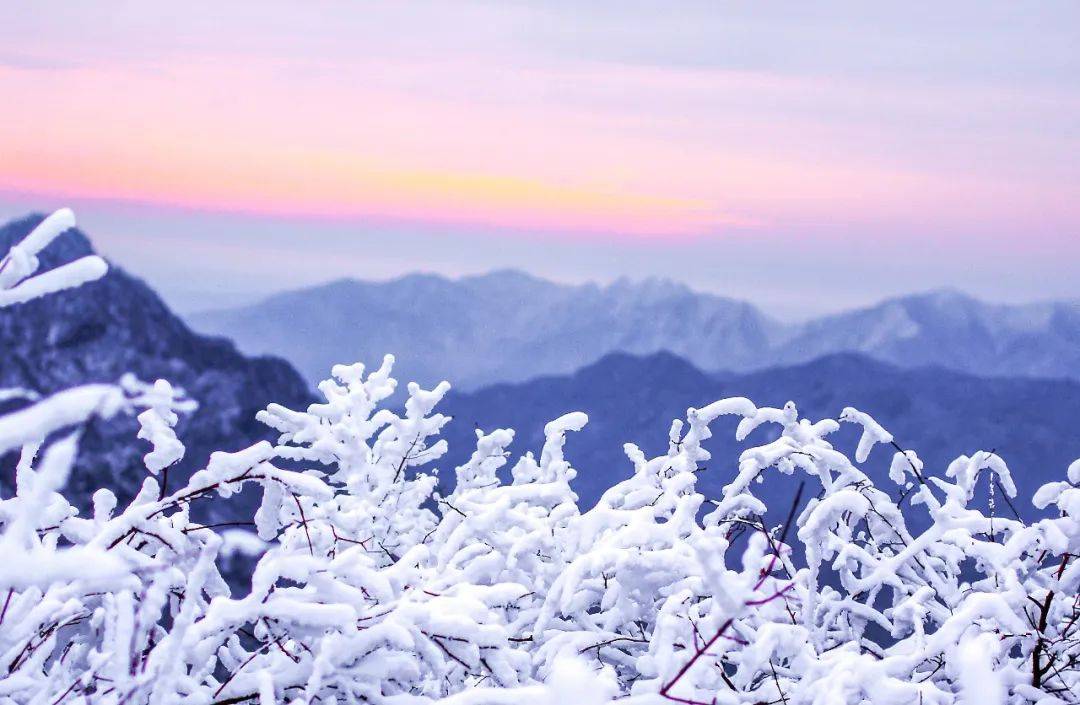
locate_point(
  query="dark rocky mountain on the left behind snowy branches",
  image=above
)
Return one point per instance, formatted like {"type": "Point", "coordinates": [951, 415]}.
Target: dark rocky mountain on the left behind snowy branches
{"type": "Point", "coordinates": [116, 326]}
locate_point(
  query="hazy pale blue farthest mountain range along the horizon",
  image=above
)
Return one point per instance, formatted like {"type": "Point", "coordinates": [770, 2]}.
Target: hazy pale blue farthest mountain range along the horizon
{"type": "Point", "coordinates": [510, 327]}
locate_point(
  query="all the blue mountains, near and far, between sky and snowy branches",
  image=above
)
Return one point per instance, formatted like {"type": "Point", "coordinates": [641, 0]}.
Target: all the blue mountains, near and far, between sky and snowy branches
{"type": "Point", "coordinates": [564, 349]}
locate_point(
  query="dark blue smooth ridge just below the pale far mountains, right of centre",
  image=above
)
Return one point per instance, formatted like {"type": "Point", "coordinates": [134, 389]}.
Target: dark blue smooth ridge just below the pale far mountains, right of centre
{"type": "Point", "coordinates": [940, 414]}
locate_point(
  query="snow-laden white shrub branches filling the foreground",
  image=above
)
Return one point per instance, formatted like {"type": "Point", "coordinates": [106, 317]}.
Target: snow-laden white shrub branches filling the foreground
{"type": "Point", "coordinates": [379, 586]}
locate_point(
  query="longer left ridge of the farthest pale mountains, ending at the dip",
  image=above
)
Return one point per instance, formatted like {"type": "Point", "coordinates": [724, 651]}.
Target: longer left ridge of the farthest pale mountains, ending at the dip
{"type": "Point", "coordinates": [504, 327]}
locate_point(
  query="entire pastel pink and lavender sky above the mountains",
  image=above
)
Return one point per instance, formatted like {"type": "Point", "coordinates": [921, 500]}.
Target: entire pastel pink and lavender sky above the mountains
{"type": "Point", "coordinates": [807, 157]}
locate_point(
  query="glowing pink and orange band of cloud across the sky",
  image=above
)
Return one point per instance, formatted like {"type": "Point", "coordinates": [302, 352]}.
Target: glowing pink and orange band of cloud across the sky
{"type": "Point", "coordinates": [615, 150]}
